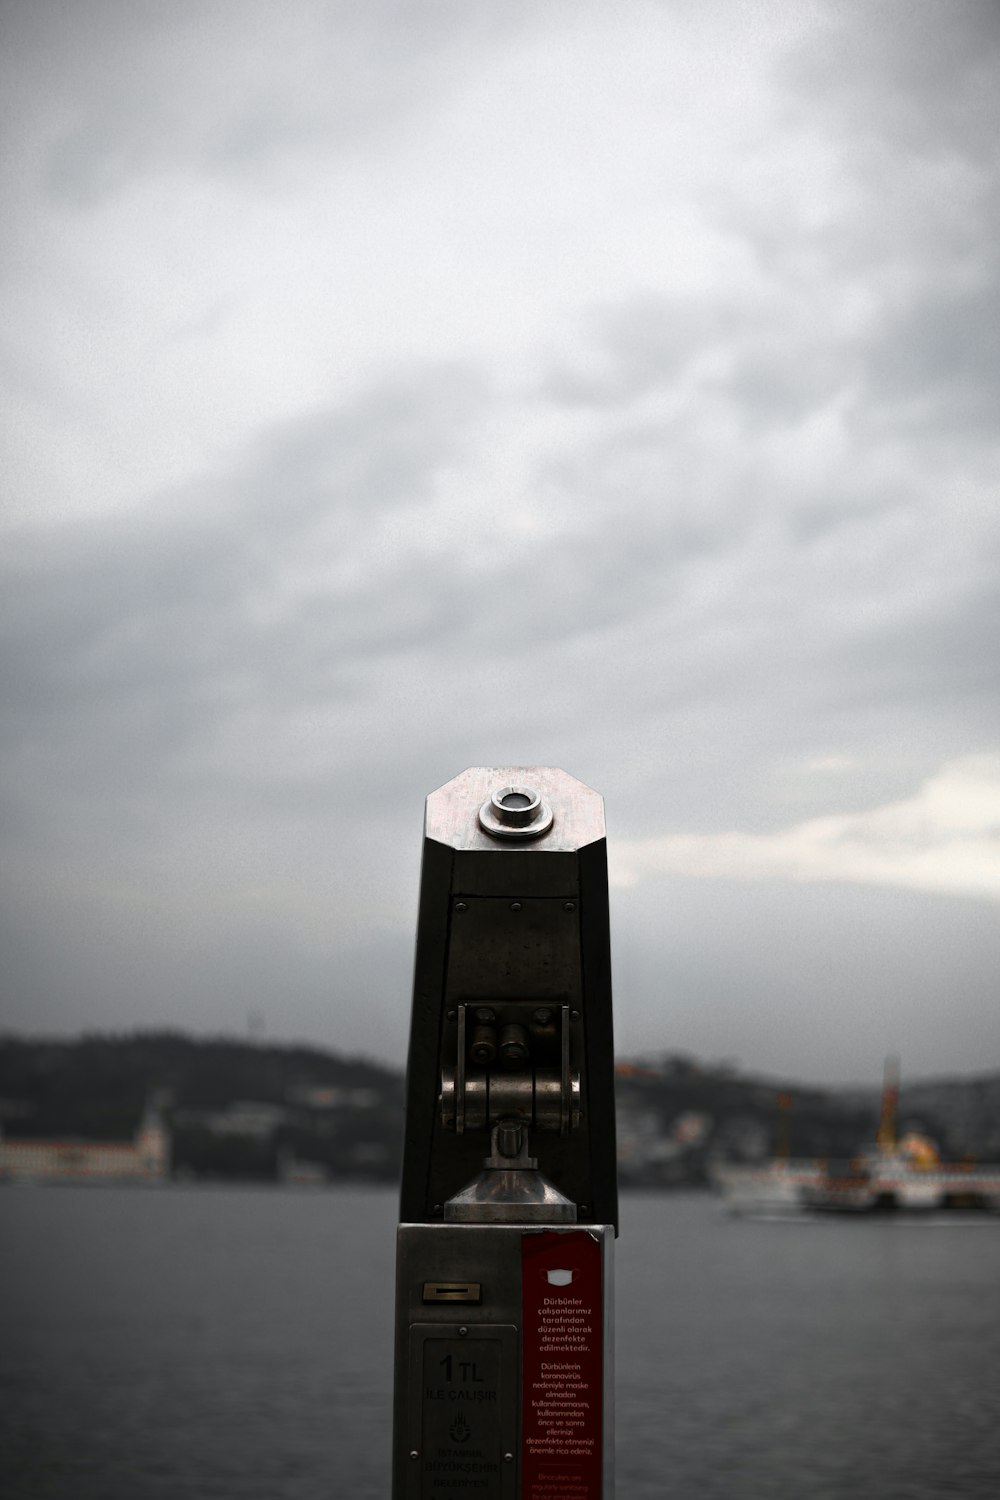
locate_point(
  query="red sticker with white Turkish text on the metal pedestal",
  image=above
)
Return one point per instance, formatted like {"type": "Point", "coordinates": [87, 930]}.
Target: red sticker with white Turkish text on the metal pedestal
{"type": "Point", "coordinates": [561, 1366]}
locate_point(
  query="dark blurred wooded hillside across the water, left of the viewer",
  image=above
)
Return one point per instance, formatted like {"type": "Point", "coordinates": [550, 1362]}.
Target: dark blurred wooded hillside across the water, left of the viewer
{"type": "Point", "coordinates": [236, 1109]}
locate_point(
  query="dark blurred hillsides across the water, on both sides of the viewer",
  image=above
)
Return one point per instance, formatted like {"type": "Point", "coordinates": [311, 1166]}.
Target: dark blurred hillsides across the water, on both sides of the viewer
{"type": "Point", "coordinates": [269, 1112]}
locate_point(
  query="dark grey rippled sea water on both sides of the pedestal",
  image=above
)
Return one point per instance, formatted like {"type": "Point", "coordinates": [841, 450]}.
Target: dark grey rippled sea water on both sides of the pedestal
{"type": "Point", "coordinates": [226, 1343]}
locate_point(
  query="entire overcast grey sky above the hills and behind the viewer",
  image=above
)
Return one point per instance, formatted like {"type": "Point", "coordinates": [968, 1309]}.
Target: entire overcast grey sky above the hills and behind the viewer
{"type": "Point", "coordinates": [397, 388]}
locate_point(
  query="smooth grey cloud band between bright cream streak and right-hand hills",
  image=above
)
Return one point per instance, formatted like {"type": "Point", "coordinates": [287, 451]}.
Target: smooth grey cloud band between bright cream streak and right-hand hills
{"type": "Point", "coordinates": [791, 967]}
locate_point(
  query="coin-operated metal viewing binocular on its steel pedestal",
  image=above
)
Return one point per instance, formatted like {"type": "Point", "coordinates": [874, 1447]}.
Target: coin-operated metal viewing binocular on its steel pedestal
{"type": "Point", "coordinates": [509, 1193]}
